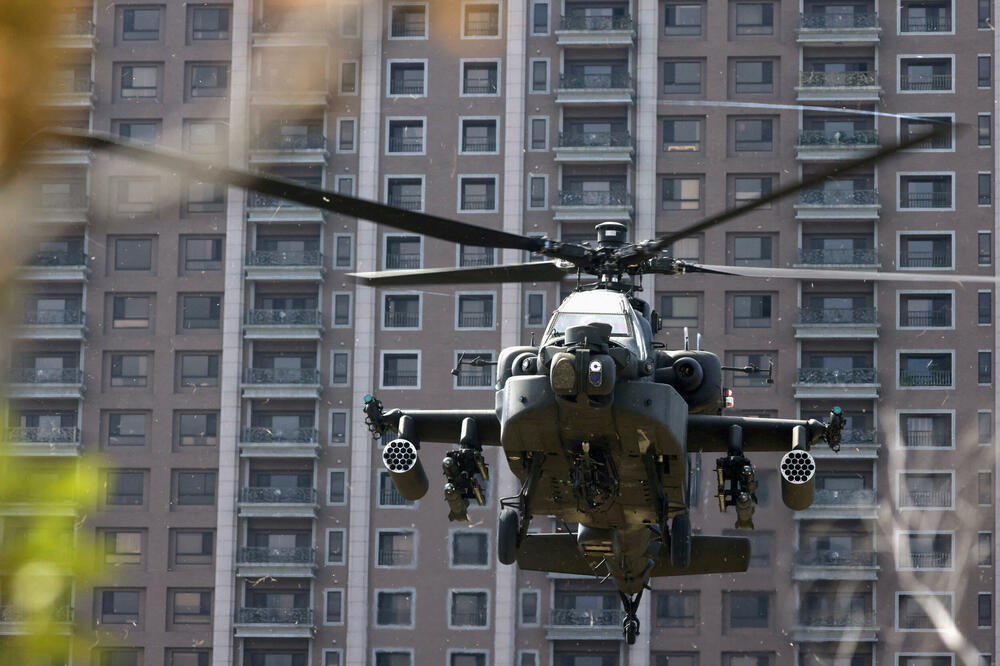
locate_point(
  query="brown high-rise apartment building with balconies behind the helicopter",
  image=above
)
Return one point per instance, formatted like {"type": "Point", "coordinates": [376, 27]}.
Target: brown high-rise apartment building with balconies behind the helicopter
{"type": "Point", "coordinates": [209, 346]}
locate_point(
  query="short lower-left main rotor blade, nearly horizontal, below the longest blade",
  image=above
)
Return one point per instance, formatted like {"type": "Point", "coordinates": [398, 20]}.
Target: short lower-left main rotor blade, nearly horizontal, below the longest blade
{"type": "Point", "coordinates": [540, 271]}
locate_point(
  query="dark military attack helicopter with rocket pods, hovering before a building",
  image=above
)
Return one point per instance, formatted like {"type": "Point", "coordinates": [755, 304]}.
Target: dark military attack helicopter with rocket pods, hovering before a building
{"type": "Point", "coordinates": [597, 421]}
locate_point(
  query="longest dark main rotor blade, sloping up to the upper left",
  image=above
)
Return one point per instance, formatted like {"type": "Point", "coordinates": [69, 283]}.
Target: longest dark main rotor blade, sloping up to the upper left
{"type": "Point", "coordinates": [419, 223]}
